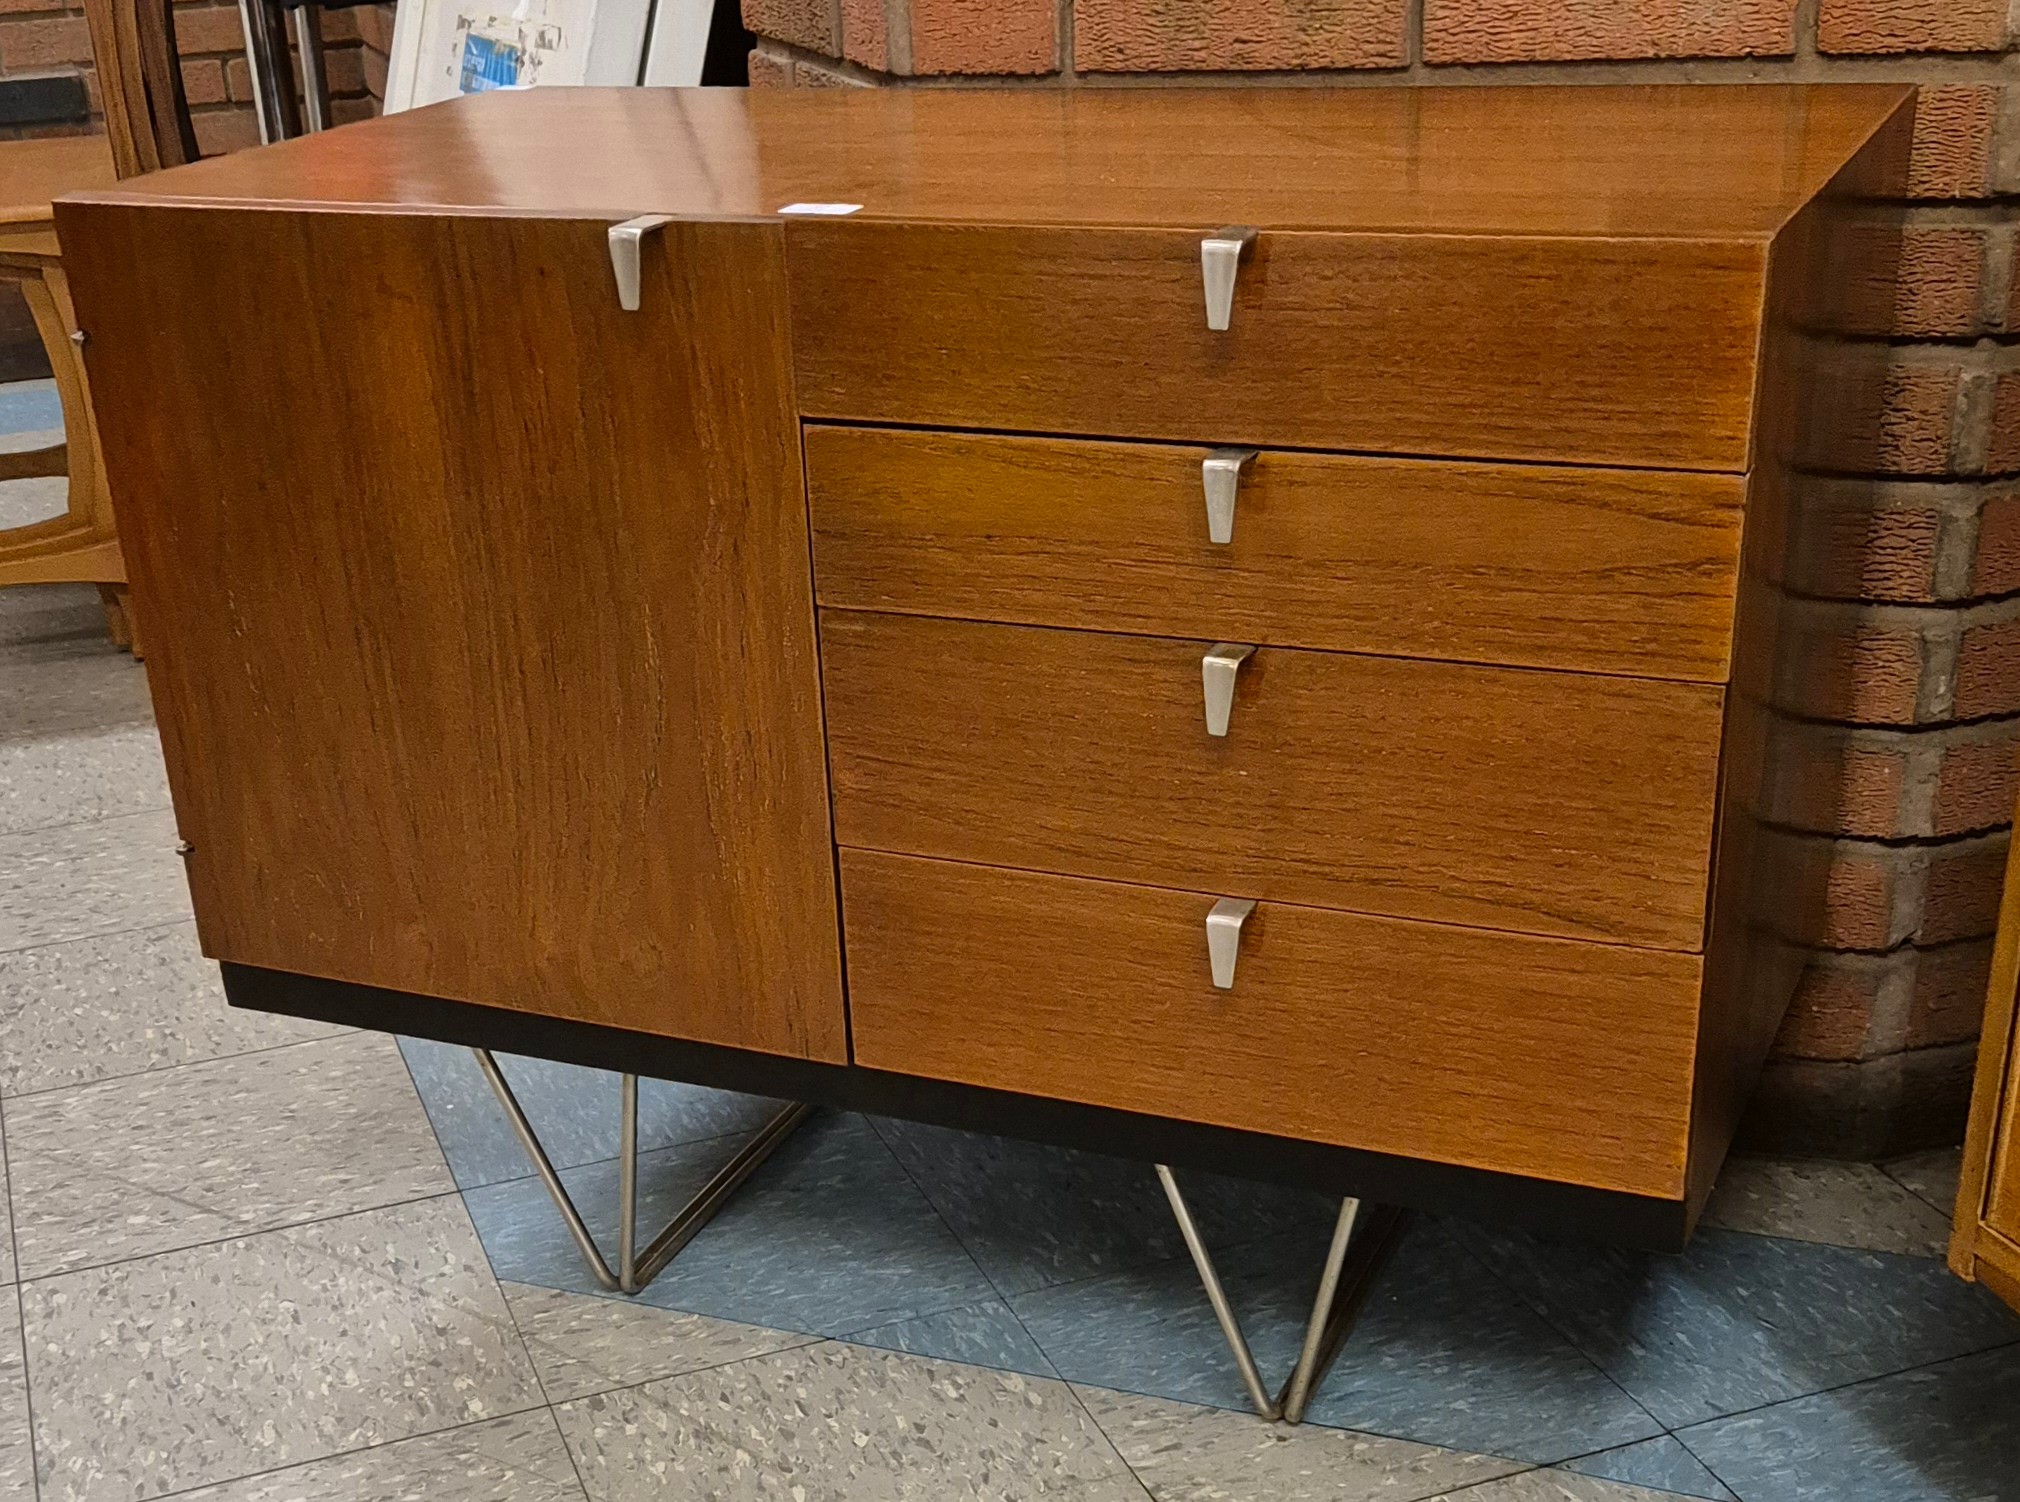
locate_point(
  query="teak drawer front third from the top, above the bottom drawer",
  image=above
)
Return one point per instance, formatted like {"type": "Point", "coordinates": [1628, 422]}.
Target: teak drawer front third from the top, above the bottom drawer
{"type": "Point", "coordinates": [1502, 798]}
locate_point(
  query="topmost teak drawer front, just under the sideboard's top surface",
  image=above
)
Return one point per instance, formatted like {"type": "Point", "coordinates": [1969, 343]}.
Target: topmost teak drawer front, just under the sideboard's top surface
{"type": "Point", "coordinates": [1573, 350]}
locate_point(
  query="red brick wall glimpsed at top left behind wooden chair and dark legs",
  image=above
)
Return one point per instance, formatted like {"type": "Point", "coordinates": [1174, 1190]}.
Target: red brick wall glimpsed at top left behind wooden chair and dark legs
{"type": "Point", "coordinates": [52, 37]}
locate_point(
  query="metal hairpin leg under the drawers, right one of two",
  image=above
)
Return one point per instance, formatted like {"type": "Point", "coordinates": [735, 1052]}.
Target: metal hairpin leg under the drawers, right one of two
{"type": "Point", "coordinates": [1350, 1267]}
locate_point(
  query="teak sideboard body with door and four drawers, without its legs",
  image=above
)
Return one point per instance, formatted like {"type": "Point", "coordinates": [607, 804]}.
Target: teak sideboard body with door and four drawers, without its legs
{"type": "Point", "coordinates": [1229, 627]}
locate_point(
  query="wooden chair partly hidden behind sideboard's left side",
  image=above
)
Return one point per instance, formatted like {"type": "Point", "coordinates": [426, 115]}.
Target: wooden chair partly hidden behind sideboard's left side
{"type": "Point", "coordinates": [146, 128]}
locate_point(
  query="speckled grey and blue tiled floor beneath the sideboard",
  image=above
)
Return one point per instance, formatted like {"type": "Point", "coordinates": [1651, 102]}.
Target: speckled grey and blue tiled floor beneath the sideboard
{"type": "Point", "coordinates": [245, 1259]}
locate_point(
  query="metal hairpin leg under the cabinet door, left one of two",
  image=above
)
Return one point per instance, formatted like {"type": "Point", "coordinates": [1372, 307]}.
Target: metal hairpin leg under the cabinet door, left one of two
{"type": "Point", "coordinates": [639, 1269]}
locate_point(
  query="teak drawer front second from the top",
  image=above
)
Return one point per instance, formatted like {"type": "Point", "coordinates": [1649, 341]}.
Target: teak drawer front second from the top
{"type": "Point", "coordinates": [1560, 568]}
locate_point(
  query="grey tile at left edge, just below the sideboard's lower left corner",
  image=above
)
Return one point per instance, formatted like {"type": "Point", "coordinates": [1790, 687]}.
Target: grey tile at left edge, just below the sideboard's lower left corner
{"type": "Point", "coordinates": [159, 1162]}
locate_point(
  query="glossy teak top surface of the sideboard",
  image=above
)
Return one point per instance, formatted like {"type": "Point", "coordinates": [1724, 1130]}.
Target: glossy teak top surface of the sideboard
{"type": "Point", "coordinates": [1690, 160]}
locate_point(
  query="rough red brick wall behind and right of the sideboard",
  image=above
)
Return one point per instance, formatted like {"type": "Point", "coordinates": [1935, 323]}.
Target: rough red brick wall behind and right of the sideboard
{"type": "Point", "coordinates": [1910, 572]}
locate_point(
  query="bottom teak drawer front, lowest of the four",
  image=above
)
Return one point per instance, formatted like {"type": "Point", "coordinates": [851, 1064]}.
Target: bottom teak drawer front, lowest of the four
{"type": "Point", "coordinates": [1492, 1051]}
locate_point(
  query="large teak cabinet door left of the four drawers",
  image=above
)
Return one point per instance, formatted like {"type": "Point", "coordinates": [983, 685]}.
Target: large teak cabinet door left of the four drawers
{"type": "Point", "coordinates": [480, 611]}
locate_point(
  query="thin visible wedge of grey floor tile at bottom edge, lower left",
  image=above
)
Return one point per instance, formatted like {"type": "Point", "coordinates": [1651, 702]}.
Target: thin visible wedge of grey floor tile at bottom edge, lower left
{"type": "Point", "coordinates": [504, 1461]}
